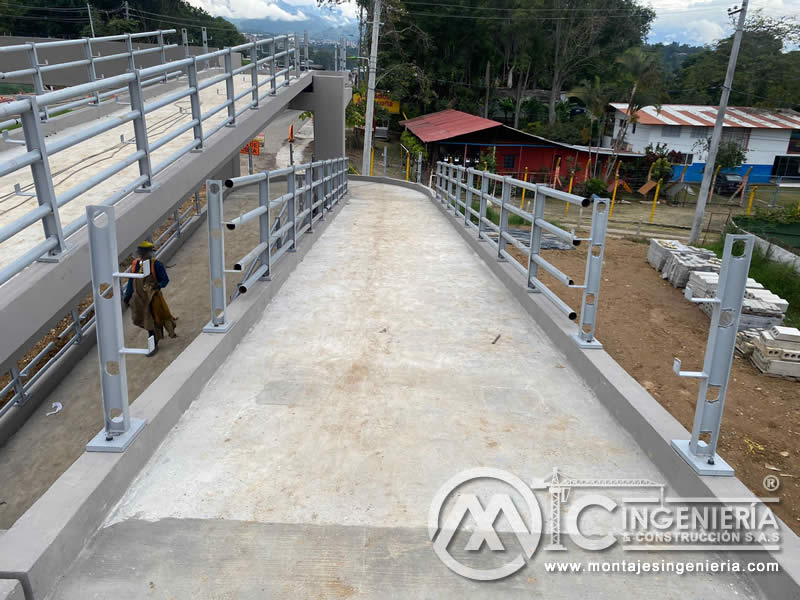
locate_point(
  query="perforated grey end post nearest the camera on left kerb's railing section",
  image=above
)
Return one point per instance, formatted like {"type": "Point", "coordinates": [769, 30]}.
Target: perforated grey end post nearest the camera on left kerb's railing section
{"type": "Point", "coordinates": [216, 258]}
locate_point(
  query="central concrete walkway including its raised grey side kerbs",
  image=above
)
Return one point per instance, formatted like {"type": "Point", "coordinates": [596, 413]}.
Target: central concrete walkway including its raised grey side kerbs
{"type": "Point", "coordinates": [298, 454]}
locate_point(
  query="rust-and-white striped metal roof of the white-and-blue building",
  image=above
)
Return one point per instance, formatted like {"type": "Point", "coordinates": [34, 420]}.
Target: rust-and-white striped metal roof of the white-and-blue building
{"type": "Point", "coordinates": [704, 116]}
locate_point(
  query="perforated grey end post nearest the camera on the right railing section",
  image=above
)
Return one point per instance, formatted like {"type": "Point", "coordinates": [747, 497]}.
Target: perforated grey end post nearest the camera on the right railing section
{"type": "Point", "coordinates": [594, 266]}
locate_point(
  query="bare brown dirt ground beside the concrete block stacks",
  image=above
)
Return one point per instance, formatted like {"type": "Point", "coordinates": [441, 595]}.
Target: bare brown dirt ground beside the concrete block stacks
{"type": "Point", "coordinates": [644, 323]}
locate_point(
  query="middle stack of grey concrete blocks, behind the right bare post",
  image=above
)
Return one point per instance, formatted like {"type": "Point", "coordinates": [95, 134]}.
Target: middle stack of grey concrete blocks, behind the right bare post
{"type": "Point", "coordinates": [761, 309]}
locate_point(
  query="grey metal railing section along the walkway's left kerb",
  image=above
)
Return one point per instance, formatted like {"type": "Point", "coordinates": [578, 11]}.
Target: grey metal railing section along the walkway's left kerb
{"type": "Point", "coordinates": [321, 185]}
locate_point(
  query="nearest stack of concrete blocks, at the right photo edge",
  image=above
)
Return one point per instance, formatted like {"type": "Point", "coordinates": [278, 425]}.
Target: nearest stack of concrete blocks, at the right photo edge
{"type": "Point", "coordinates": [774, 351]}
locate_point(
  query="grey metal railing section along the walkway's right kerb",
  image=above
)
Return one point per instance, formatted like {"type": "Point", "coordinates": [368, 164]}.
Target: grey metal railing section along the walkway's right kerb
{"type": "Point", "coordinates": [455, 186]}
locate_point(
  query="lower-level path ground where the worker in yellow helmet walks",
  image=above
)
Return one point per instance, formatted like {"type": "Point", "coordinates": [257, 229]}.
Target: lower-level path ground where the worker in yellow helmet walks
{"type": "Point", "coordinates": [48, 444]}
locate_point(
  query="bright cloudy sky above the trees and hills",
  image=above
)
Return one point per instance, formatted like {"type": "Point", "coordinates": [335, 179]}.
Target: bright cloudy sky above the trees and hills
{"type": "Point", "coordinates": [695, 22]}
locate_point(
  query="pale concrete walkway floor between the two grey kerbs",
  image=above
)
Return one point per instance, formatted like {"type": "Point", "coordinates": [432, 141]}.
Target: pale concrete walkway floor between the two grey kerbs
{"type": "Point", "coordinates": [391, 360]}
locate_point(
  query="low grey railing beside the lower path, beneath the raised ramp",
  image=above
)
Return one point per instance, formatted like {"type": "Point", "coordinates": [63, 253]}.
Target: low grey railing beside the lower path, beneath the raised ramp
{"type": "Point", "coordinates": [81, 321]}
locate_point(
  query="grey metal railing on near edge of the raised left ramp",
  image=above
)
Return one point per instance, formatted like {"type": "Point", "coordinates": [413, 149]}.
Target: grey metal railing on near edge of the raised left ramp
{"type": "Point", "coordinates": [283, 60]}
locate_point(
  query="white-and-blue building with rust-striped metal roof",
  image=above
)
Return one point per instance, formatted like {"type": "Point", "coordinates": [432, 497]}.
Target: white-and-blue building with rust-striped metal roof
{"type": "Point", "coordinates": [771, 138]}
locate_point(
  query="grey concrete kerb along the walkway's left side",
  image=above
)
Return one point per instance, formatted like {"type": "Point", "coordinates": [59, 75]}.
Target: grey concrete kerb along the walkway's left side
{"type": "Point", "coordinates": [48, 537]}
